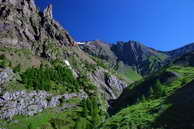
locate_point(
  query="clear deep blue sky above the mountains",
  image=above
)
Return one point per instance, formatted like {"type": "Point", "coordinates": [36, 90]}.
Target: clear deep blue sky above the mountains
{"type": "Point", "coordinates": [161, 24]}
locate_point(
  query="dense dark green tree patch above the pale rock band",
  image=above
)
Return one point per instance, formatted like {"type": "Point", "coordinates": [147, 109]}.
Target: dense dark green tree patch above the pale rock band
{"type": "Point", "coordinates": [58, 78]}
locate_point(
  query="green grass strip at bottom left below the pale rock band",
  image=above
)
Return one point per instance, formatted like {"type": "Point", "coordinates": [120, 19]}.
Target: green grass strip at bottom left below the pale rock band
{"type": "Point", "coordinates": [43, 119]}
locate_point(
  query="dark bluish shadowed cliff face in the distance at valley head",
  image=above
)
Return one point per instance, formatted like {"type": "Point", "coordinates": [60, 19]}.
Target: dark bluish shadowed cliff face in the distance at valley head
{"type": "Point", "coordinates": [144, 59]}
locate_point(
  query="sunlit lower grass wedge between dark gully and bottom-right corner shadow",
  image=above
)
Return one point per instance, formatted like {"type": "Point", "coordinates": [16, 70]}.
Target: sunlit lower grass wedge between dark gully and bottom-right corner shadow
{"type": "Point", "coordinates": [139, 116]}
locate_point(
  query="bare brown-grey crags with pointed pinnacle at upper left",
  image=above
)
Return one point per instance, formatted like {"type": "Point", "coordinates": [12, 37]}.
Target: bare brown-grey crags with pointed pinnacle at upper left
{"type": "Point", "coordinates": [23, 26]}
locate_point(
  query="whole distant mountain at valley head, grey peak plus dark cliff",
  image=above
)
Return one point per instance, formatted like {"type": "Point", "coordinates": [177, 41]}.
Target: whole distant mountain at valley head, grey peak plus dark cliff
{"type": "Point", "coordinates": [132, 55]}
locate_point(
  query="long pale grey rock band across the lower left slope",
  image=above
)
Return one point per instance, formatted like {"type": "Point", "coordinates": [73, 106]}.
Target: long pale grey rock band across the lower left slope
{"type": "Point", "coordinates": [30, 103]}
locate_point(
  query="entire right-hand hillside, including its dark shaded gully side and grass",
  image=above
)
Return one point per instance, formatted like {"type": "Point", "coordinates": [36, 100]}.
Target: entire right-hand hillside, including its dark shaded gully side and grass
{"type": "Point", "coordinates": [161, 101]}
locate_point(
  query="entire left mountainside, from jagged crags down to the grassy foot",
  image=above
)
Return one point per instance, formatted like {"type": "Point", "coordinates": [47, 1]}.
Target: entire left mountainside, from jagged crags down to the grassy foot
{"type": "Point", "coordinates": [46, 80]}
